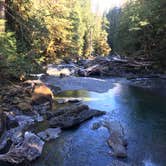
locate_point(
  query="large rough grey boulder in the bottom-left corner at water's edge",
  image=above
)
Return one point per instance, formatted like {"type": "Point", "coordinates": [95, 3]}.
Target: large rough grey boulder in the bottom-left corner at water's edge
{"type": "Point", "coordinates": [27, 149]}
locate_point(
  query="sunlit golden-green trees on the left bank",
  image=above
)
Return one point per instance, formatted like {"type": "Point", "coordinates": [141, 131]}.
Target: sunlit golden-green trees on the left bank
{"type": "Point", "coordinates": [44, 31]}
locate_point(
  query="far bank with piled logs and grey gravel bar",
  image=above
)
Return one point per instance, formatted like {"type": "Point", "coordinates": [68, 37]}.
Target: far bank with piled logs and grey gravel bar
{"type": "Point", "coordinates": [134, 71]}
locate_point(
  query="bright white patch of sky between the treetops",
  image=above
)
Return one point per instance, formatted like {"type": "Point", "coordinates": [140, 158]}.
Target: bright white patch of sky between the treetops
{"type": "Point", "coordinates": [103, 5]}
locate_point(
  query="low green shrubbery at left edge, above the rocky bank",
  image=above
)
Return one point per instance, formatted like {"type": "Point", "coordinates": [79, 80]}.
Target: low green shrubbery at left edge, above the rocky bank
{"type": "Point", "coordinates": [13, 64]}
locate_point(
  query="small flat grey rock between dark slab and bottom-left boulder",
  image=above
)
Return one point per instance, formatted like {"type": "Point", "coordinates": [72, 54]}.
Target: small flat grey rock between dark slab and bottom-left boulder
{"type": "Point", "coordinates": [49, 134]}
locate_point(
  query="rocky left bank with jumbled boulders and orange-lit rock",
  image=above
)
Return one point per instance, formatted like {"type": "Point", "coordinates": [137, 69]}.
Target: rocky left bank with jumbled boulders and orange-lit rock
{"type": "Point", "coordinates": [26, 105]}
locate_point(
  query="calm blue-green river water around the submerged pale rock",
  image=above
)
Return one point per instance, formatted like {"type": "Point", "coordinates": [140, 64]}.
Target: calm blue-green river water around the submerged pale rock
{"type": "Point", "coordinates": [142, 114]}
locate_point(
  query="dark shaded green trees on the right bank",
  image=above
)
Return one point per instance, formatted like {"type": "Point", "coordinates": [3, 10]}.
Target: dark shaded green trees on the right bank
{"type": "Point", "coordinates": [138, 26]}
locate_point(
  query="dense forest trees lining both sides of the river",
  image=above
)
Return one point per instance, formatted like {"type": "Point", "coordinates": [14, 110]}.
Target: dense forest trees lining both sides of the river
{"type": "Point", "coordinates": [34, 32]}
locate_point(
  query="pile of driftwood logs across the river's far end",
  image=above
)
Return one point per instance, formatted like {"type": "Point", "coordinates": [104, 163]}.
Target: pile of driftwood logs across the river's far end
{"type": "Point", "coordinates": [104, 66]}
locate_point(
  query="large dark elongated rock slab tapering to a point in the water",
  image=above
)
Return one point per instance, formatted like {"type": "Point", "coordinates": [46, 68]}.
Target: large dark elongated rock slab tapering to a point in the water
{"type": "Point", "coordinates": [72, 116]}
